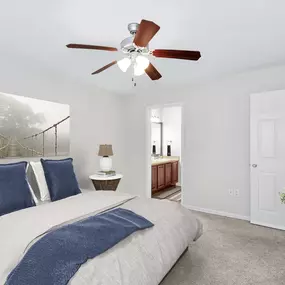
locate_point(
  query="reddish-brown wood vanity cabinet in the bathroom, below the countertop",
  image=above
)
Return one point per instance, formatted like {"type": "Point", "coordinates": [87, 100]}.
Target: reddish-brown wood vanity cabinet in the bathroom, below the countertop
{"type": "Point", "coordinates": [164, 175]}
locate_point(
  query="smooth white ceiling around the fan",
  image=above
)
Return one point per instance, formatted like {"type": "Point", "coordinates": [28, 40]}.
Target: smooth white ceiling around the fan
{"type": "Point", "coordinates": [233, 36]}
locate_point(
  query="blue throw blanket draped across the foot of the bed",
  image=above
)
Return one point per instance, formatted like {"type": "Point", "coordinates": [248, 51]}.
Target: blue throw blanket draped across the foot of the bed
{"type": "Point", "coordinates": [56, 257]}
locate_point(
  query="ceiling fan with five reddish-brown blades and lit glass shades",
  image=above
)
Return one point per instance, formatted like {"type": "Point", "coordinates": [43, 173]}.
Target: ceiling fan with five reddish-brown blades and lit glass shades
{"type": "Point", "coordinates": [136, 50]}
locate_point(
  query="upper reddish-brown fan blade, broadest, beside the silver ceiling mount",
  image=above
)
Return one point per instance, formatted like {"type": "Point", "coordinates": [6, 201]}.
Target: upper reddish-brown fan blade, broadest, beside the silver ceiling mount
{"type": "Point", "coordinates": [145, 33]}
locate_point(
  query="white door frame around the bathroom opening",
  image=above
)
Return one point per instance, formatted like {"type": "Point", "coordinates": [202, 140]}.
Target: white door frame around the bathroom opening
{"type": "Point", "coordinates": [148, 145]}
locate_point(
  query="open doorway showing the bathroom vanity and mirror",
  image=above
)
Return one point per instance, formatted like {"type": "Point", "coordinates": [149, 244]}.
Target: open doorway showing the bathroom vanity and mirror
{"type": "Point", "coordinates": [165, 151]}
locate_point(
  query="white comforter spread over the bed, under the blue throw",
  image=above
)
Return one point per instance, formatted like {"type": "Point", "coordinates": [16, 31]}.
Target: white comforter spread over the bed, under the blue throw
{"type": "Point", "coordinates": [143, 258]}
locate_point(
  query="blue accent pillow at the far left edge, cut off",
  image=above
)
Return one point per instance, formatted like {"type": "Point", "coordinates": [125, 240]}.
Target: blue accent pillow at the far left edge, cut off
{"type": "Point", "coordinates": [15, 192]}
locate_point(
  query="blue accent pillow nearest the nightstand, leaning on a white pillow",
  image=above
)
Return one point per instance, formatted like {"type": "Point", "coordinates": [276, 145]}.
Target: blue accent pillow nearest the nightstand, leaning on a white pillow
{"type": "Point", "coordinates": [60, 178]}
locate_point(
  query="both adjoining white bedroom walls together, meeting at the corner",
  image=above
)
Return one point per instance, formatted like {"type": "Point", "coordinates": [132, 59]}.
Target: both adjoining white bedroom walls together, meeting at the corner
{"type": "Point", "coordinates": [216, 124]}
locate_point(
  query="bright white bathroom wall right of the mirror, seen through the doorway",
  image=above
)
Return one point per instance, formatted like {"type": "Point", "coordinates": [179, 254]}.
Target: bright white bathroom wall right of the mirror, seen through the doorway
{"type": "Point", "coordinates": [172, 129]}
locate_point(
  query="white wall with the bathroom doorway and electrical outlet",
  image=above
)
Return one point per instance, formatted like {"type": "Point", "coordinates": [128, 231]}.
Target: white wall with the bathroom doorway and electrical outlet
{"type": "Point", "coordinates": [216, 123]}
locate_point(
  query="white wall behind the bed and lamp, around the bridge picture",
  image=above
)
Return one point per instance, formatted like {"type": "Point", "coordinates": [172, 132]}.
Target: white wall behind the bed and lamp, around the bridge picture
{"type": "Point", "coordinates": [97, 116]}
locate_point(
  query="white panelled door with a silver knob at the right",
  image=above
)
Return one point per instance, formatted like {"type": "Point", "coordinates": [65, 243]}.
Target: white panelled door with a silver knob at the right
{"type": "Point", "coordinates": [267, 158]}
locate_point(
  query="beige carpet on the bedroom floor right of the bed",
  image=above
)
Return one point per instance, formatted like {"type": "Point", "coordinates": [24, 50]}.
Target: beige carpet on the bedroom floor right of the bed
{"type": "Point", "coordinates": [232, 252]}
